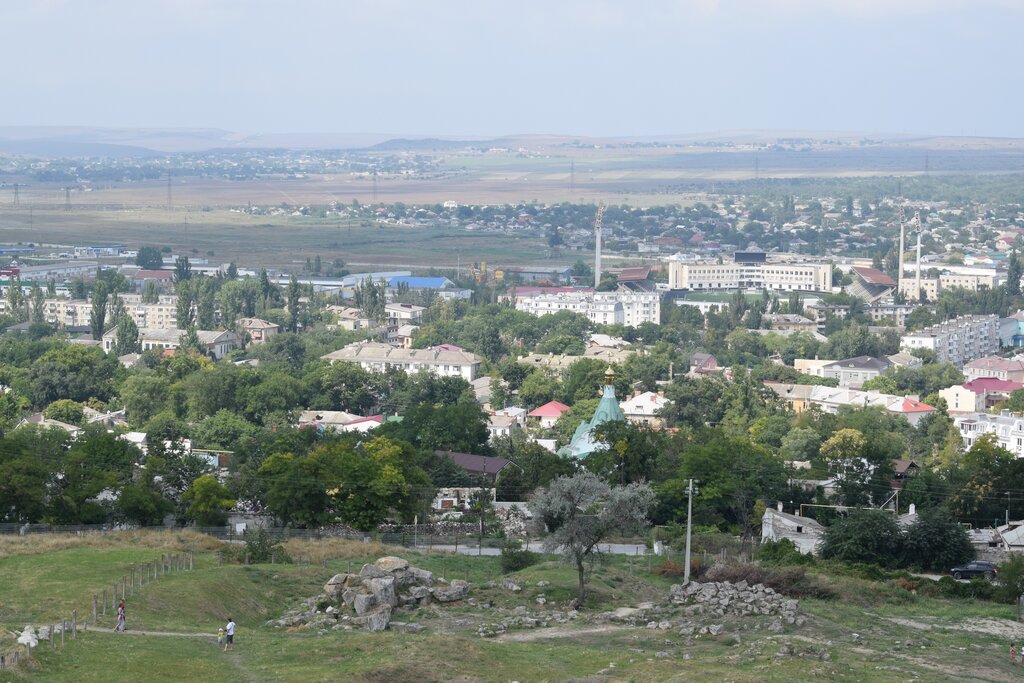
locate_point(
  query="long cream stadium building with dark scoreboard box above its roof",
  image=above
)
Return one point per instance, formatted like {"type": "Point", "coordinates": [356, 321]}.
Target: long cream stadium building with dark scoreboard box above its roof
{"type": "Point", "coordinates": [775, 277]}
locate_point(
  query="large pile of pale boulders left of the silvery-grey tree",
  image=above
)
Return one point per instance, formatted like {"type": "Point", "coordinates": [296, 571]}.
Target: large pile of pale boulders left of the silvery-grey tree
{"type": "Point", "coordinates": [370, 599]}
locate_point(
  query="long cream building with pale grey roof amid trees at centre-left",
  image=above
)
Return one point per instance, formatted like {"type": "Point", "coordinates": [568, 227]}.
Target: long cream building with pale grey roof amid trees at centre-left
{"type": "Point", "coordinates": [379, 358]}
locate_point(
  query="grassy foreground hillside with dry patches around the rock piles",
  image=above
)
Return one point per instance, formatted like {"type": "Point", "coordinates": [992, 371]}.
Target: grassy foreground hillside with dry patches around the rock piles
{"type": "Point", "coordinates": [872, 631]}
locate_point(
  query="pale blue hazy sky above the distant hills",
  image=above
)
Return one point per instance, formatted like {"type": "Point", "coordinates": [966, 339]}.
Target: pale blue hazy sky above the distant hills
{"type": "Point", "coordinates": [485, 68]}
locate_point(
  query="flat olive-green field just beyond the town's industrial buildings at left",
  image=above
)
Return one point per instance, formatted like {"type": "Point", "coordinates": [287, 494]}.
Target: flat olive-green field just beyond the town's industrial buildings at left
{"type": "Point", "coordinates": [272, 241]}
